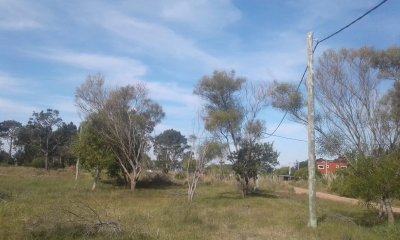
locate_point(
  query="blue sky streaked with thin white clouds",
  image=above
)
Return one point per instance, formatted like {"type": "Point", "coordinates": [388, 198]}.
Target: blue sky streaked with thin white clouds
{"type": "Point", "coordinates": [49, 47]}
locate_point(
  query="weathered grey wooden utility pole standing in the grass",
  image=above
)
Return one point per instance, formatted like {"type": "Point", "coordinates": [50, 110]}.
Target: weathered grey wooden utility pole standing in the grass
{"type": "Point", "coordinates": [311, 135]}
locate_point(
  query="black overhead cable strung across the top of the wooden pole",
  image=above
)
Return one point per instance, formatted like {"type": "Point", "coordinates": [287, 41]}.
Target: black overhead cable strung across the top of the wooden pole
{"type": "Point", "coordinates": [315, 47]}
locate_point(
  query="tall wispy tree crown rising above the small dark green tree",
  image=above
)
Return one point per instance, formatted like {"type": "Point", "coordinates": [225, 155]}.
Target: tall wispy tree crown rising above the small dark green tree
{"type": "Point", "coordinates": [231, 109]}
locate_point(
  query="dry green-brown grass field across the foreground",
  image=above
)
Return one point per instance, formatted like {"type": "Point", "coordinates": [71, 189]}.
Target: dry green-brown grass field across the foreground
{"type": "Point", "coordinates": [36, 204]}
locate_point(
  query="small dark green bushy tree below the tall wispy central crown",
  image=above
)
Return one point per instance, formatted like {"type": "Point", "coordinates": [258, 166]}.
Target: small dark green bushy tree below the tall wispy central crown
{"type": "Point", "coordinates": [251, 160]}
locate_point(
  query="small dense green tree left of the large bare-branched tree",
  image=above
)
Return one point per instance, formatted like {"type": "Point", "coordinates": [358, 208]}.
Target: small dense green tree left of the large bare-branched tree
{"type": "Point", "coordinates": [92, 151]}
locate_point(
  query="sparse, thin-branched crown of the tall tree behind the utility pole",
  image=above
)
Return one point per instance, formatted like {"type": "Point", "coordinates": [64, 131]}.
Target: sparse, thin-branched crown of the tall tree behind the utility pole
{"type": "Point", "coordinates": [351, 115]}
